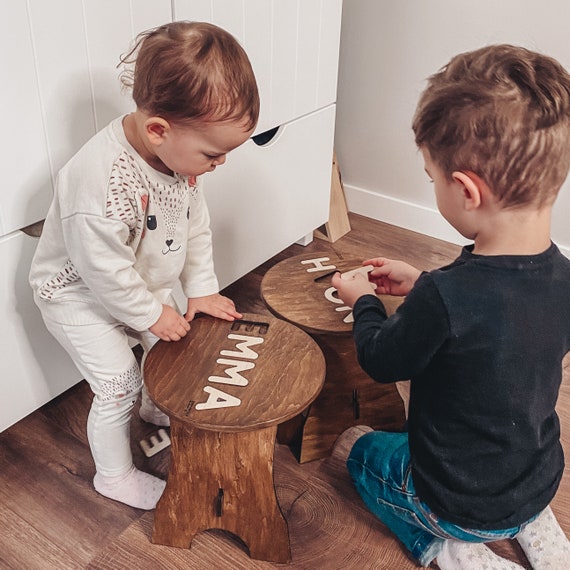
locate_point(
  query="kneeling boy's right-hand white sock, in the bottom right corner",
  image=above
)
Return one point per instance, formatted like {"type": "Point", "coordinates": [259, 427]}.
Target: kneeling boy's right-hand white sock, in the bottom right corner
{"type": "Point", "coordinates": [544, 543]}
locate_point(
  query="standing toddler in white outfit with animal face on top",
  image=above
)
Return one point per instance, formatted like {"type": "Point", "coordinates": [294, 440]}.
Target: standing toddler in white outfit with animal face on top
{"type": "Point", "coordinates": [129, 220]}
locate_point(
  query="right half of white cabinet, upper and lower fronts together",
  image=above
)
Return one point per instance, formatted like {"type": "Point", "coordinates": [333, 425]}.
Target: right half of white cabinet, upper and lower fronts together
{"type": "Point", "coordinates": [265, 198]}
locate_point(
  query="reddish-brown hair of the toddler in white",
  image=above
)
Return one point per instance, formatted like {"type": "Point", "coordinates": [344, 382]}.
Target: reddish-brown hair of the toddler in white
{"type": "Point", "coordinates": [191, 71]}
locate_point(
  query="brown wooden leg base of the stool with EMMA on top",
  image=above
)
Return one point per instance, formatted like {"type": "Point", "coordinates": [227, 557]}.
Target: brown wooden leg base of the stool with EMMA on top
{"type": "Point", "coordinates": [222, 480]}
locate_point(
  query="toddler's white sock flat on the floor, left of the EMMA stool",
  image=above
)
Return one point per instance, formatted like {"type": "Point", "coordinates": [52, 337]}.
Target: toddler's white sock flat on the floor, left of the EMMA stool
{"type": "Point", "coordinates": [135, 488]}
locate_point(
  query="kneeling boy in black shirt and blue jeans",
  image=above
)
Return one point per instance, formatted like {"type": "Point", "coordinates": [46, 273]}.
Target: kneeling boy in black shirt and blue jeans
{"type": "Point", "coordinates": [483, 338]}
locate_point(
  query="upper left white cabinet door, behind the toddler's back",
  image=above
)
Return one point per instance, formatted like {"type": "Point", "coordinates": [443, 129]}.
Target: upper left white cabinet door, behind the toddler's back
{"type": "Point", "coordinates": [59, 58]}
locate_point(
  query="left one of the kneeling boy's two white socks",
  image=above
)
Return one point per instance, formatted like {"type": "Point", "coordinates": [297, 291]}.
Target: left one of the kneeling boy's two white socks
{"type": "Point", "coordinates": [457, 555]}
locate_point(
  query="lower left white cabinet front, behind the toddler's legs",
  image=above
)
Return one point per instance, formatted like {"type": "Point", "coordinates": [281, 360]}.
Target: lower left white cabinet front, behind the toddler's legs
{"type": "Point", "coordinates": [34, 367]}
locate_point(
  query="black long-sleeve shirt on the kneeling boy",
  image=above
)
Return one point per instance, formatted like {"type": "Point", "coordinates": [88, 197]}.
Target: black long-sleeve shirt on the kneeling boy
{"type": "Point", "coordinates": [482, 341]}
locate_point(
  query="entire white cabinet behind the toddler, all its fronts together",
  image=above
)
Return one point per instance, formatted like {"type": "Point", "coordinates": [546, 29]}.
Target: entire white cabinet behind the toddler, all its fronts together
{"type": "Point", "coordinates": [61, 59]}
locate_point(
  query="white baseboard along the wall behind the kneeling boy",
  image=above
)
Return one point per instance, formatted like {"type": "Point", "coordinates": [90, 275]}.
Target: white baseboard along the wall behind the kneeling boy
{"type": "Point", "coordinates": [408, 215]}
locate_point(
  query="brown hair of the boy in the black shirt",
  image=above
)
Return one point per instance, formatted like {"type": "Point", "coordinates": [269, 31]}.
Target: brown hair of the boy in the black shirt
{"type": "Point", "coordinates": [503, 113]}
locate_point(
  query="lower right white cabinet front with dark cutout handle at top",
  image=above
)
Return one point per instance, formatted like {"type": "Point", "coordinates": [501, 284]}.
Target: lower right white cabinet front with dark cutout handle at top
{"type": "Point", "coordinates": [266, 197]}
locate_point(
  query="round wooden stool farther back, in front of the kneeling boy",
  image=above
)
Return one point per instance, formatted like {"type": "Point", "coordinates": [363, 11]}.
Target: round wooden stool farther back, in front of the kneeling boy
{"type": "Point", "coordinates": [299, 290]}
